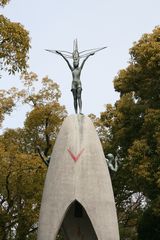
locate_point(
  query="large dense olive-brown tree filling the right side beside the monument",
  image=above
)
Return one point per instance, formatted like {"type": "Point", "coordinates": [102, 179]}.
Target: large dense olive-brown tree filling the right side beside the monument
{"type": "Point", "coordinates": [132, 131]}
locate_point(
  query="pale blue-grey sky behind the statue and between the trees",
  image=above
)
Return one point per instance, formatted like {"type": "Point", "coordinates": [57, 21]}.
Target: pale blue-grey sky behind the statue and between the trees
{"type": "Point", "coordinates": [54, 24]}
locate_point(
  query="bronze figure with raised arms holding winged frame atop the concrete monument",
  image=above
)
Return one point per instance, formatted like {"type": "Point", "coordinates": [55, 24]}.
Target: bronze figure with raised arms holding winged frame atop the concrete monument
{"type": "Point", "coordinates": [76, 70]}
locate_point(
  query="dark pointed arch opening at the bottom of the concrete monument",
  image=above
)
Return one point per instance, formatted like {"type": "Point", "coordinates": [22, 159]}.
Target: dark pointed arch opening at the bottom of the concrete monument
{"type": "Point", "coordinates": [76, 224]}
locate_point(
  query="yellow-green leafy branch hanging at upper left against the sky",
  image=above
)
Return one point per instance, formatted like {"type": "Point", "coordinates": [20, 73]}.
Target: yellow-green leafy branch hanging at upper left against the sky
{"type": "Point", "coordinates": [14, 46]}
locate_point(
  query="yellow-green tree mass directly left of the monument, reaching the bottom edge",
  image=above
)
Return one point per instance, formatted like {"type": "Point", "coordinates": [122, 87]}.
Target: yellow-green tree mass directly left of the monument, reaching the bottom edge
{"type": "Point", "coordinates": [22, 171]}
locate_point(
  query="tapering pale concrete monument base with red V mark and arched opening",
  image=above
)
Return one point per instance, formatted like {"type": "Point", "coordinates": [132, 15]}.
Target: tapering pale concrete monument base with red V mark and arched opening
{"type": "Point", "coordinates": [78, 196]}
